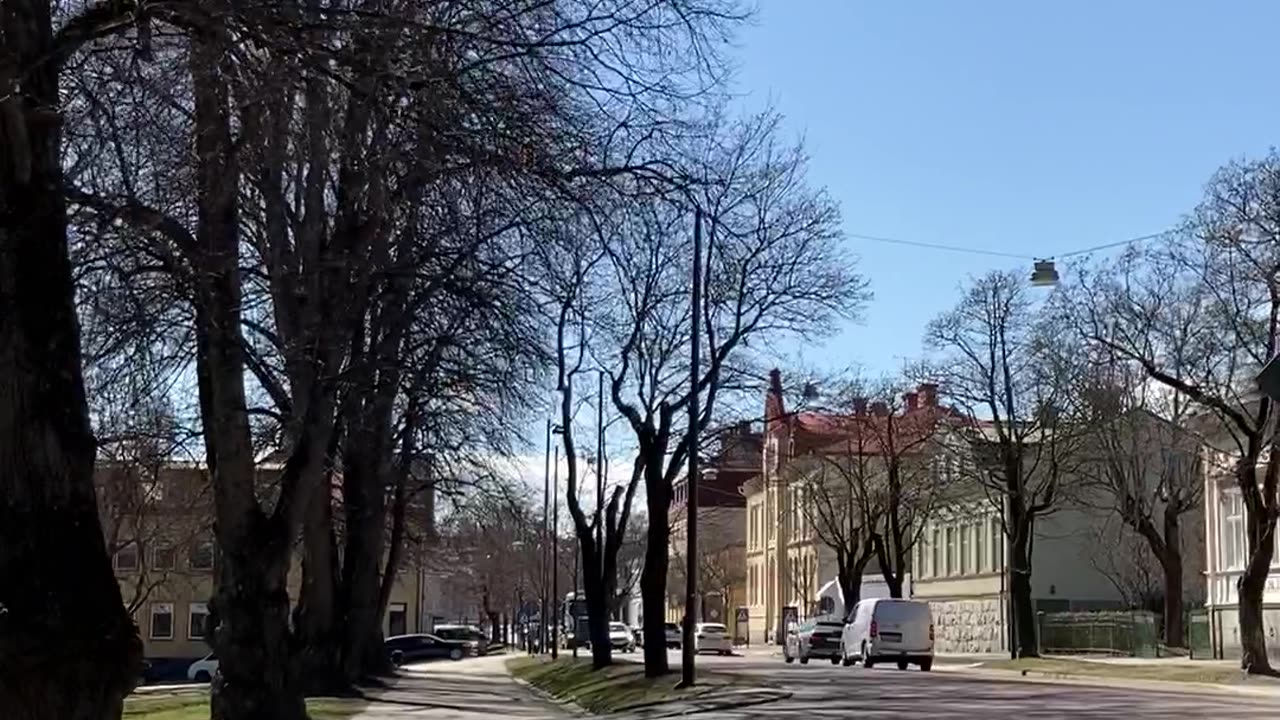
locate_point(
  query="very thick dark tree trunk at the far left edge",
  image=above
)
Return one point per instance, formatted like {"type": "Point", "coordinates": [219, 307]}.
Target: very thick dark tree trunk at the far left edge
{"type": "Point", "coordinates": [68, 649]}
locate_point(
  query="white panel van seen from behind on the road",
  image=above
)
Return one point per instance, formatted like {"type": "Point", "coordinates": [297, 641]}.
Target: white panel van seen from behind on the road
{"type": "Point", "coordinates": [889, 631]}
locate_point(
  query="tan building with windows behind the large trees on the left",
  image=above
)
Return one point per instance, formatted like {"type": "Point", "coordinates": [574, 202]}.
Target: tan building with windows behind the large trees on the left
{"type": "Point", "coordinates": [158, 522]}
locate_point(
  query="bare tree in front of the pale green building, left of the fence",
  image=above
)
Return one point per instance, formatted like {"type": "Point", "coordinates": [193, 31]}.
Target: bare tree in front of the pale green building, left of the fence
{"type": "Point", "coordinates": [1012, 380]}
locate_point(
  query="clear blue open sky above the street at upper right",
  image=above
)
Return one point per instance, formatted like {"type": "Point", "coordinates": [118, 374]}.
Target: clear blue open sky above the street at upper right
{"type": "Point", "coordinates": [1026, 127]}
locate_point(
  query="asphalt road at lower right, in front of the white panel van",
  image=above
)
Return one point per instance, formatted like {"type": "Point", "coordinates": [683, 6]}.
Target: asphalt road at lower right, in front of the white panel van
{"type": "Point", "coordinates": [822, 690]}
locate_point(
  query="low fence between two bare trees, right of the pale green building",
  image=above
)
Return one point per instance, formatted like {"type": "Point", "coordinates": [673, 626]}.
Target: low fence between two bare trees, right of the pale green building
{"type": "Point", "coordinates": [1133, 634]}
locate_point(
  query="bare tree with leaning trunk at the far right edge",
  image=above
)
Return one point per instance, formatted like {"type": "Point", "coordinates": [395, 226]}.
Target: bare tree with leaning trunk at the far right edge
{"type": "Point", "coordinates": [1199, 312]}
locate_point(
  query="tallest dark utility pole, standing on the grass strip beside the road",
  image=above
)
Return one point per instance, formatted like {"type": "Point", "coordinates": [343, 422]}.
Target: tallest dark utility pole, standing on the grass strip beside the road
{"type": "Point", "coordinates": [688, 648]}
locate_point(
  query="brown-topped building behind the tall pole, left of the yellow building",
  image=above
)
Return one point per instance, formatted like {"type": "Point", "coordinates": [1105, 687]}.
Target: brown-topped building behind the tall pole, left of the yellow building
{"type": "Point", "coordinates": [721, 531]}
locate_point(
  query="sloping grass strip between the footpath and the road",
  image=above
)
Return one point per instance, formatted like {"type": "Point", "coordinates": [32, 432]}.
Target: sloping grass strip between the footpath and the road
{"type": "Point", "coordinates": [616, 689]}
